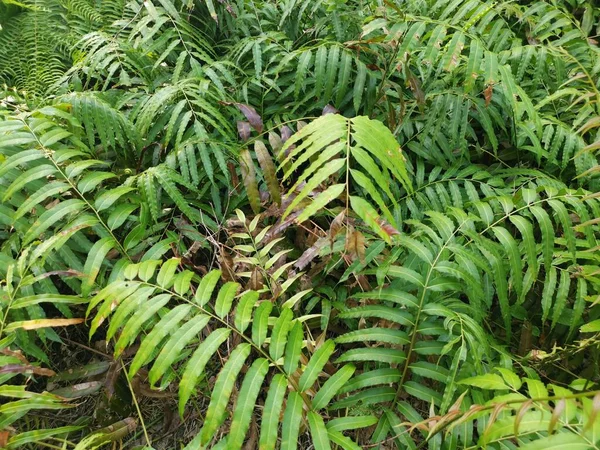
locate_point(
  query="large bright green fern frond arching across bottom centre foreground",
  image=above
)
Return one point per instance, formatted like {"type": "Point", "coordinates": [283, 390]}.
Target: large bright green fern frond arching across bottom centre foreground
{"type": "Point", "coordinates": [275, 352]}
